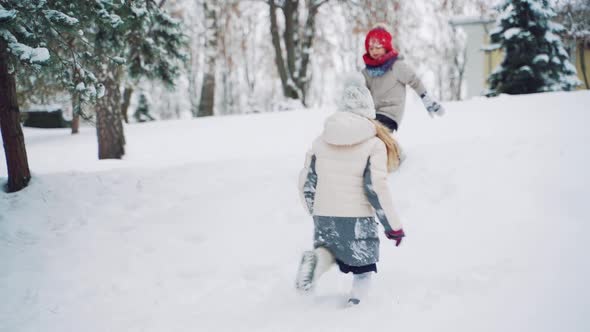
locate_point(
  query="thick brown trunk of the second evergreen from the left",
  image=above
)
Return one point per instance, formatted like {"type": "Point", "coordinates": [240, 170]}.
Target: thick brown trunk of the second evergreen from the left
{"type": "Point", "coordinates": [109, 126]}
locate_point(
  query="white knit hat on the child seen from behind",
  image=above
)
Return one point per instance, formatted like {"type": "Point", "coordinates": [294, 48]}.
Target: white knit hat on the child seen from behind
{"type": "Point", "coordinates": [355, 97]}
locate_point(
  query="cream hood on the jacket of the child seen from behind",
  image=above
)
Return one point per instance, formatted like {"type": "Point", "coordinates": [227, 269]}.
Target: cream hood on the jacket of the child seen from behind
{"type": "Point", "coordinates": [346, 128]}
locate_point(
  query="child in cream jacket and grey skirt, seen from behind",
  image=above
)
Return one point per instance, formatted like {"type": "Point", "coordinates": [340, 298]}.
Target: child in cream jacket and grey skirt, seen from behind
{"type": "Point", "coordinates": [343, 186]}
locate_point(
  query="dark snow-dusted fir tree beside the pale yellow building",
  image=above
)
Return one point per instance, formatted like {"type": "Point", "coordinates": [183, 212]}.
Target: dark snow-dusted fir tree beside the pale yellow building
{"type": "Point", "coordinates": [535, 59]}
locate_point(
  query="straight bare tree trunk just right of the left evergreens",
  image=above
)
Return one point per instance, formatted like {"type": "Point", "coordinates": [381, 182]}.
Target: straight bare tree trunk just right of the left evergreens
{"type": "Point", "coordinates": [207, 103]}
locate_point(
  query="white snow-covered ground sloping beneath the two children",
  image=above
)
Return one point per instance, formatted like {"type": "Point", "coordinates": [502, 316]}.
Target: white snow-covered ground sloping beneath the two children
{"type": "Point", "coordinates": [200, 227]}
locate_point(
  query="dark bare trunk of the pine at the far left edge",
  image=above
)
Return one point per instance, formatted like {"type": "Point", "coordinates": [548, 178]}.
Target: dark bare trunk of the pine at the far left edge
{"type": "Point", "coordinates": [12, 134]}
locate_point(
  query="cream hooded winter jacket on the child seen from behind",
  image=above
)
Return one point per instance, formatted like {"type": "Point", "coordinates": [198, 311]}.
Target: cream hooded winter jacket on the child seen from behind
{"type": "Point", "coordinates": [341, 155]}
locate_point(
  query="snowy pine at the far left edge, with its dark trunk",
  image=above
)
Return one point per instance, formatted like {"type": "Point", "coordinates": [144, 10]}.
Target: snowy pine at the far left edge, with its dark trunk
{"type": "Point", "coordinates": [29, 31]}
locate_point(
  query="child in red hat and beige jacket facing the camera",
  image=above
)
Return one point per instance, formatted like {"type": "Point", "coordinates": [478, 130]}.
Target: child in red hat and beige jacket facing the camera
{"type": "Point", "coordinates": [387, 75]}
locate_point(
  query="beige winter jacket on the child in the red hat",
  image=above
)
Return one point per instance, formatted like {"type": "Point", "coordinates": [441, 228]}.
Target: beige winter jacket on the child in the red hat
{"type": "Point", "coordinates": [389, 90]}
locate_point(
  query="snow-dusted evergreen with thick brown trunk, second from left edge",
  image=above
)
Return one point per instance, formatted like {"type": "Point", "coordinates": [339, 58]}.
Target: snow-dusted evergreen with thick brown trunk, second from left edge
{"type": "Point", "coordinates": [140, 35]}
